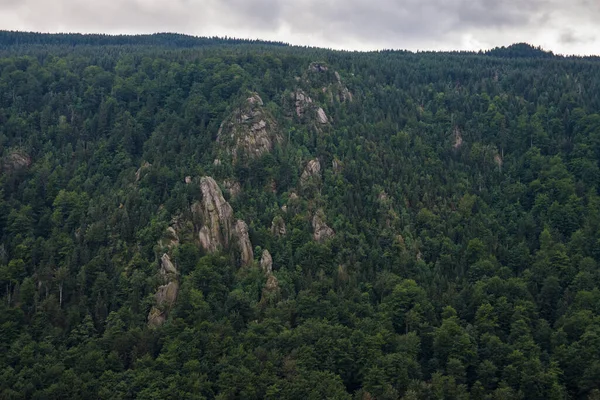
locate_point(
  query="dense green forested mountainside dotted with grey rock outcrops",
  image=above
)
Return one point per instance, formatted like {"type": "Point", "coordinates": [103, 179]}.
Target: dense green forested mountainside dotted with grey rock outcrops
{"type": "Point", "coordinates": [200, 218]}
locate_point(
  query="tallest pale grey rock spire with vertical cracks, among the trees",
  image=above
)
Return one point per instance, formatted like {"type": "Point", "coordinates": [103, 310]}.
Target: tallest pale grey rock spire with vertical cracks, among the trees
{"type": "Point", "coordinates": [215, 216]}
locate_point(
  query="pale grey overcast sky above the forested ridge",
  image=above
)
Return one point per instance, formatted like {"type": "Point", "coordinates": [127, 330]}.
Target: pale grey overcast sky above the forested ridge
{"type": "Point", "coordinates": [563, 26]}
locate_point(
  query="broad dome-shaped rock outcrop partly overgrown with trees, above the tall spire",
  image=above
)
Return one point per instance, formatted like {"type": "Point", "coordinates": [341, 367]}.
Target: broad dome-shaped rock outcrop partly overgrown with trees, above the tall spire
{"type": "Point", "coordinates": [250, 129]}
